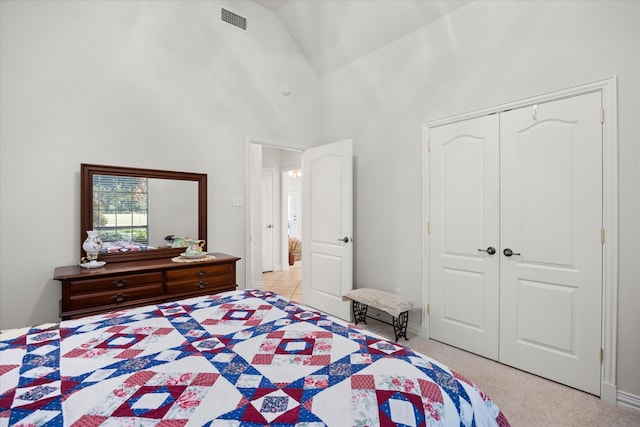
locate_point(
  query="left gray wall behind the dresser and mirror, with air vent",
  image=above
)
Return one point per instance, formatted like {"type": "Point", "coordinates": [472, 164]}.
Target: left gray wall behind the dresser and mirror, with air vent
{"type": "Point", "coordinates": [161, 85]}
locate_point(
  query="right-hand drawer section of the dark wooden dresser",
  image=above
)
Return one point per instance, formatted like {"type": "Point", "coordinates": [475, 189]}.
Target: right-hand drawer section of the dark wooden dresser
{"type": "Point", "coordinates": [201, 279]}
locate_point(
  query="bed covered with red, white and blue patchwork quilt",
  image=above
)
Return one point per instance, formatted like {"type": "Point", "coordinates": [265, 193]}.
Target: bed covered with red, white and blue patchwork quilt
{"type": "Point", "coordinates": [241, 358]}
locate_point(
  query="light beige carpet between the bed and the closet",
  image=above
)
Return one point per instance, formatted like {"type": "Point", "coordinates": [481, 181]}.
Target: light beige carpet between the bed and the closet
{"type": "Point", "coordinates": [525, 399]}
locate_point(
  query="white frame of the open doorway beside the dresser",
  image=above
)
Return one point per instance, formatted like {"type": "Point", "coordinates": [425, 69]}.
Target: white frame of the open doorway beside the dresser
{"type": "Point", "coordinates": [253, 250]}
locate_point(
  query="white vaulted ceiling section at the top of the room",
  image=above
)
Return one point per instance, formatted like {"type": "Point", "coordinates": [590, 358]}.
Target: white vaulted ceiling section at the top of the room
{"type": "Point", "coordinates": [333, 33]}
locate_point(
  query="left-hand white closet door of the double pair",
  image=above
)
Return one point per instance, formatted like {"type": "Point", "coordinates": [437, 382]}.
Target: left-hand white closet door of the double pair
{"type": "Point", "coordinates": [464, 193]}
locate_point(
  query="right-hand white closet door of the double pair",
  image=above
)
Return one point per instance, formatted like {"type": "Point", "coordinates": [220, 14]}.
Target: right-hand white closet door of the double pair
{"type": "Point", "coordinates": [551, 218]}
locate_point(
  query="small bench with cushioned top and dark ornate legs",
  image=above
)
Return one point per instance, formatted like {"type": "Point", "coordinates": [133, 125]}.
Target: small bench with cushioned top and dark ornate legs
{"type": "Point", "coordinates": [397, 306]}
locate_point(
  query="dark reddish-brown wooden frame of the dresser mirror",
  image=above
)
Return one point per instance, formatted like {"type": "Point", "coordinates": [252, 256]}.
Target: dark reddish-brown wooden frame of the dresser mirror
{"type": "Point", "coordinates": [87, 171]}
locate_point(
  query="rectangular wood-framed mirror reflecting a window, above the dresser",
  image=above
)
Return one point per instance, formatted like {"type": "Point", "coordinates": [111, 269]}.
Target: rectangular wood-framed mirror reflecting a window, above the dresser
{"type": "Point", "coordinates": [136, 209]}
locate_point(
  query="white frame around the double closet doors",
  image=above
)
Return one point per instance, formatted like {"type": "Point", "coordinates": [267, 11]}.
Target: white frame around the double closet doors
{"type": "Point", "coordinates": [609, 88]}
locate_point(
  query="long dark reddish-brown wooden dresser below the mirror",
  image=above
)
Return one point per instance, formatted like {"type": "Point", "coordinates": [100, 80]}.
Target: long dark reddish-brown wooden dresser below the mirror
{"type": "Point", "coordinates": [135, 283]}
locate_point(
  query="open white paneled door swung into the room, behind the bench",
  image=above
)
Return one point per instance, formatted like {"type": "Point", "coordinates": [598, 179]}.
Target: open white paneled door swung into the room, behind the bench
{"type": "Point", "coordinates": [327, 250]}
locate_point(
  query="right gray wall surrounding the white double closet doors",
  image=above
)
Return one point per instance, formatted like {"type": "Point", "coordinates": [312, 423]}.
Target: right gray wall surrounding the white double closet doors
{"type": "Point", "coordinates": [485, 54]}
